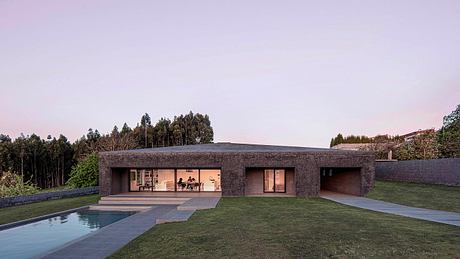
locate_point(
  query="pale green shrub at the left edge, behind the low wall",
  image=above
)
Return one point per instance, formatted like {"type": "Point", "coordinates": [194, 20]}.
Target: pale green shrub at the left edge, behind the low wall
{"type": "Point", "coordinates": [12, 185]}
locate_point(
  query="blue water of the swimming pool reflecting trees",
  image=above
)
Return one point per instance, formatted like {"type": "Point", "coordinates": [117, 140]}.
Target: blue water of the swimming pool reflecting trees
{"type": "Point", "coordinates": [36, 238]}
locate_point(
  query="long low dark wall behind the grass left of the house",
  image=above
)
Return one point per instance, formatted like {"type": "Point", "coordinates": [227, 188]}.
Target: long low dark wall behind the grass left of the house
{"type": "Point", "coordinates": [18, 200]}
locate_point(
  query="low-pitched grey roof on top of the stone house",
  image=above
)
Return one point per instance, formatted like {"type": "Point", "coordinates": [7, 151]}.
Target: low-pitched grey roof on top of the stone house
{"type": "Point", "coordinates": [224, 147]}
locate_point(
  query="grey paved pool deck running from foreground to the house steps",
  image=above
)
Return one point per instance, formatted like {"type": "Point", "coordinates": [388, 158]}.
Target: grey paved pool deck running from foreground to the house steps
{"type": "Point", "coordinates": [107, 240]}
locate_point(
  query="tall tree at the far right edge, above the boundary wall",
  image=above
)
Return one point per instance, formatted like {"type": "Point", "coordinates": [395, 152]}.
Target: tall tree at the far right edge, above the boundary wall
{"type": "Point", "coordinates": [449, 135]}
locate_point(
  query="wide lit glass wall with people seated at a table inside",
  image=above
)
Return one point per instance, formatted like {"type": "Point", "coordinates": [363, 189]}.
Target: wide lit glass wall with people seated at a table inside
{"type": "Point", "coordinates": [170, 180]}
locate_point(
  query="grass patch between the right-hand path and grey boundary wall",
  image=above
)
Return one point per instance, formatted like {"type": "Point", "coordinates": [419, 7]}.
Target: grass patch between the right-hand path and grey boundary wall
{"type": "Point", "coordinates": [428, 196]}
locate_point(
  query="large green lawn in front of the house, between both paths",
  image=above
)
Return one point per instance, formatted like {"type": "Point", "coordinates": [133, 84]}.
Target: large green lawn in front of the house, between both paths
{"type": "Point", "coordinates": [291, 228]}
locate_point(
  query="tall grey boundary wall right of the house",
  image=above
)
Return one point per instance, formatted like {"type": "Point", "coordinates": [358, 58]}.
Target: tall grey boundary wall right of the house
{"type": "Point", "coordinates": [436, 171]}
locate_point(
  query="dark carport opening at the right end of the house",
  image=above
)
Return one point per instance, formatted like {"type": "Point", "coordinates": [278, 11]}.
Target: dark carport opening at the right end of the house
{"type": "Point", "coordinates": [341, 179]}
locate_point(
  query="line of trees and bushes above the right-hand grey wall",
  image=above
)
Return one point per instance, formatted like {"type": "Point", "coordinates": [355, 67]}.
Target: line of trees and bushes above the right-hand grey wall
{"type": "Point", "coordinates": [443, 143]}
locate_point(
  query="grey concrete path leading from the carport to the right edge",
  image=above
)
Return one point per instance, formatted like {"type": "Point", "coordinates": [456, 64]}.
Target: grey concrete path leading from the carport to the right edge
{"type": "Point", "coordinates": [439, 216]}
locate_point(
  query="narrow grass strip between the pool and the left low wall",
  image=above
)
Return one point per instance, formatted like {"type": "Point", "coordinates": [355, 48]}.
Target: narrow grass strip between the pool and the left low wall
{"type": "Point", "coordinates": [11, 214]}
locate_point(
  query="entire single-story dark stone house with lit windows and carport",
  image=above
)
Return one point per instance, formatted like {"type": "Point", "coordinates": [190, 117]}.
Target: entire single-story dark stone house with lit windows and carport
{"type": "Point", "coordinates": [237, 170]}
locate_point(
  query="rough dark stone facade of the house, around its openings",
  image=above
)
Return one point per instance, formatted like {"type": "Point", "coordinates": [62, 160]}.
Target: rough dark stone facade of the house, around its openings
{"type": "Point", "coordinates": [233, 164]}
